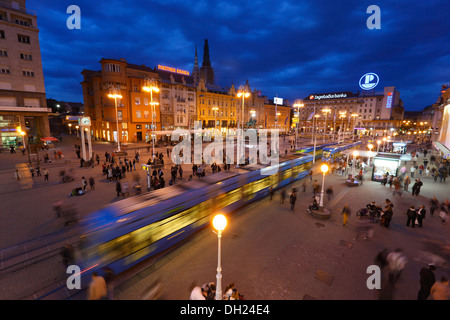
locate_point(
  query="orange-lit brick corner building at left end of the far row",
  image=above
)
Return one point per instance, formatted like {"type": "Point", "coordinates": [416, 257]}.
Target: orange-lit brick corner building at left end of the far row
{"type": "Point", "coordinates": [135, 115]}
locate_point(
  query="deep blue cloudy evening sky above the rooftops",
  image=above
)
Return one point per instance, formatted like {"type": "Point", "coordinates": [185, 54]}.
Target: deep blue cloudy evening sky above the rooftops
{"type": "Point", "coordinates": [286, 48]}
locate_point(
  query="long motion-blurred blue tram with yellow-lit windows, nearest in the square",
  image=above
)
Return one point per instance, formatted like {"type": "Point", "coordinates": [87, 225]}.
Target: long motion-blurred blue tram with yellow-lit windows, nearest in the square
{"type": "Point", "coordinates": [131, 230]}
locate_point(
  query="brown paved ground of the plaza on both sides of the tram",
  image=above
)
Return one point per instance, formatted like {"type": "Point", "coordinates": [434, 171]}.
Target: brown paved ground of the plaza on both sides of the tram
{"type": "Point", "coordinates": [269, 252]}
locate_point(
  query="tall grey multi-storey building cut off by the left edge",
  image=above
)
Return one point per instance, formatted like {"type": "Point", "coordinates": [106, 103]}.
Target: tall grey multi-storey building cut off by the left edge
{"type": "Point", "coordinates": [22, 90]}
